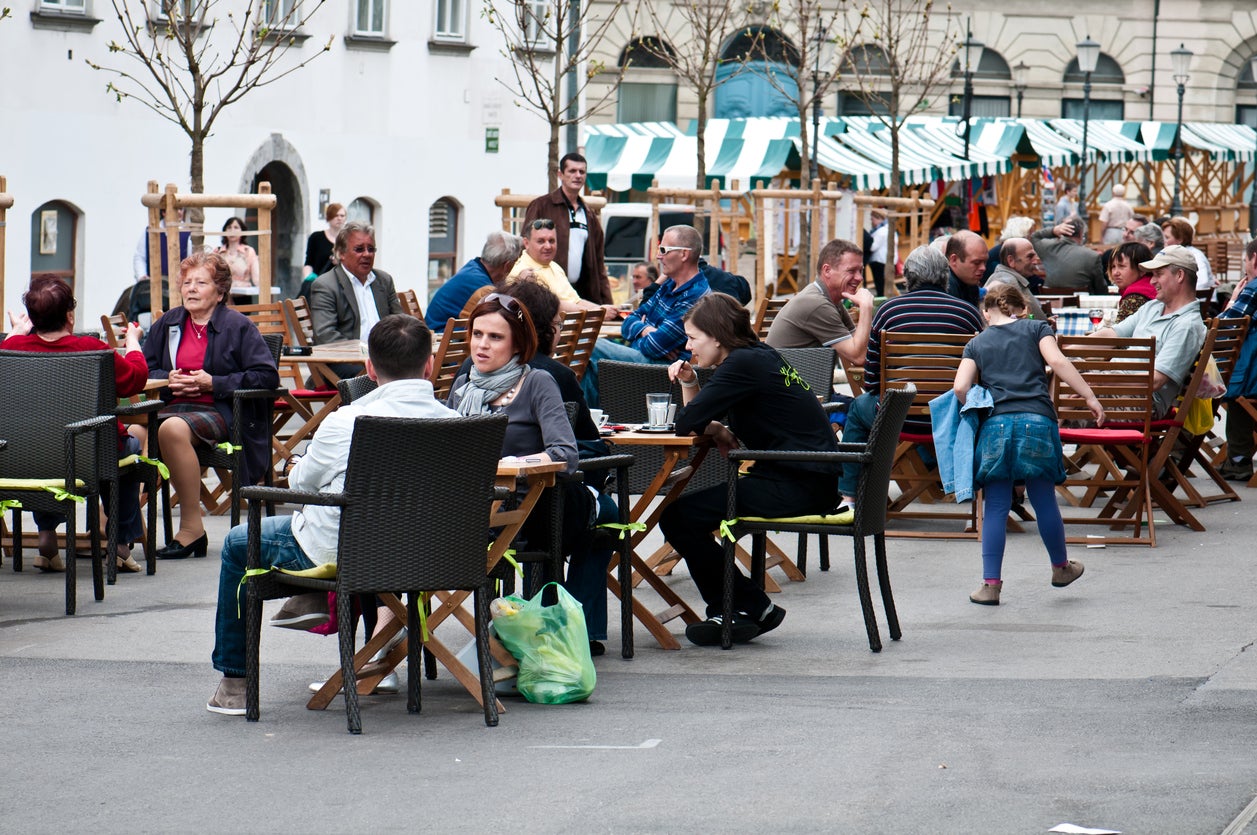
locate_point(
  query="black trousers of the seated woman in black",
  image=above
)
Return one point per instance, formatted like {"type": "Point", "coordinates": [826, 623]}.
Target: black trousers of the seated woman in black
{"type": "Point", "coordinates": [691, 525]}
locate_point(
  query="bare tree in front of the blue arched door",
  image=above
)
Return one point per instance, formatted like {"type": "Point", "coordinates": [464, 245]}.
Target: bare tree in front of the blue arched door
{"type": "Point", "coordinates": [696, 61]}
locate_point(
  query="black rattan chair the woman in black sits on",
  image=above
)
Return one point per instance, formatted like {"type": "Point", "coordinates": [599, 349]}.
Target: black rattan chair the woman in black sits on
{"type": "Point", "coordinates": [870, 514]}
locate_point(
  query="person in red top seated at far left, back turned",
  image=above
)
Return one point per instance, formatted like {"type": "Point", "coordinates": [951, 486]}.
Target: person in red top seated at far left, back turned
{"type": "Point", "coordinates": [48, 328]}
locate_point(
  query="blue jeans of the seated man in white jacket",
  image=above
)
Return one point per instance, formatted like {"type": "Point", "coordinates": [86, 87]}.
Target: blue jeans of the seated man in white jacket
{"type": "Point", "coordinates": [280, 550]}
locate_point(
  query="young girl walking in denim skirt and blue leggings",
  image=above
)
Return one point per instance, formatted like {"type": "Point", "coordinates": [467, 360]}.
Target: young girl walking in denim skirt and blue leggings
{"type": "Point", "coordinates": [1019, 442]}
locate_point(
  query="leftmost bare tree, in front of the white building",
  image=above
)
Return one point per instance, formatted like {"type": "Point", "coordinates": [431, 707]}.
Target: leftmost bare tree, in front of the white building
{"type": "Point", "coordinates": [177, 67]}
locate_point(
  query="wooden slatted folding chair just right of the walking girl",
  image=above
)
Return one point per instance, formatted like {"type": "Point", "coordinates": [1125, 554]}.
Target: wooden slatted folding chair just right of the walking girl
{"type": "Point", "coordinates": [1121, 374]}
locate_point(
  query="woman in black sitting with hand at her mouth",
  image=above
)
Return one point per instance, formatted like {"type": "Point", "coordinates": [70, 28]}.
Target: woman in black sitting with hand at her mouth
{"type": "Point", "coordinates": [769, 408]}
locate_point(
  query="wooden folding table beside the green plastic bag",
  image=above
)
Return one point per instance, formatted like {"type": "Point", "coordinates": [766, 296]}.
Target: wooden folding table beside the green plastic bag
{"type": "Point", "coordinates": [537, 478]}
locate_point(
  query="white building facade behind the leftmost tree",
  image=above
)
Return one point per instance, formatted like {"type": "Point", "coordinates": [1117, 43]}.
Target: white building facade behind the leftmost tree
{"type": "Point", "coordinates": [403, 120]}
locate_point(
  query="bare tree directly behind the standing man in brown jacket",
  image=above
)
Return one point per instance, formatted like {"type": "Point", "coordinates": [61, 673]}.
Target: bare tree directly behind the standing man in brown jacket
{"type": "Point", "coordinates": [550, 45]}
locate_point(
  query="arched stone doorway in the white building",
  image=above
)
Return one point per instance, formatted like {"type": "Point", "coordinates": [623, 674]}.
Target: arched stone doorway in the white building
{"type": "Point", "coordinates": [278, 163]}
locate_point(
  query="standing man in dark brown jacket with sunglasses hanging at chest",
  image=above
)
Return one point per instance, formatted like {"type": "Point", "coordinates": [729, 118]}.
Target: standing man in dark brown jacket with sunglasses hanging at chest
{"type": "Point", "coordinates": [579, 235]}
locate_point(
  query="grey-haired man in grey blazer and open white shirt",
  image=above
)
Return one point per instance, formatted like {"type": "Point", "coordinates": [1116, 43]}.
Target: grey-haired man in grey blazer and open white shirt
{"type": "Point", "coordinates": [348, 301]}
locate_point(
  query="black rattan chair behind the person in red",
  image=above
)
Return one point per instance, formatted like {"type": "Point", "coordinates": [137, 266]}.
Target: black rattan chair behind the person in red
{"type": "Point", "coordinates": [63, 434]}
